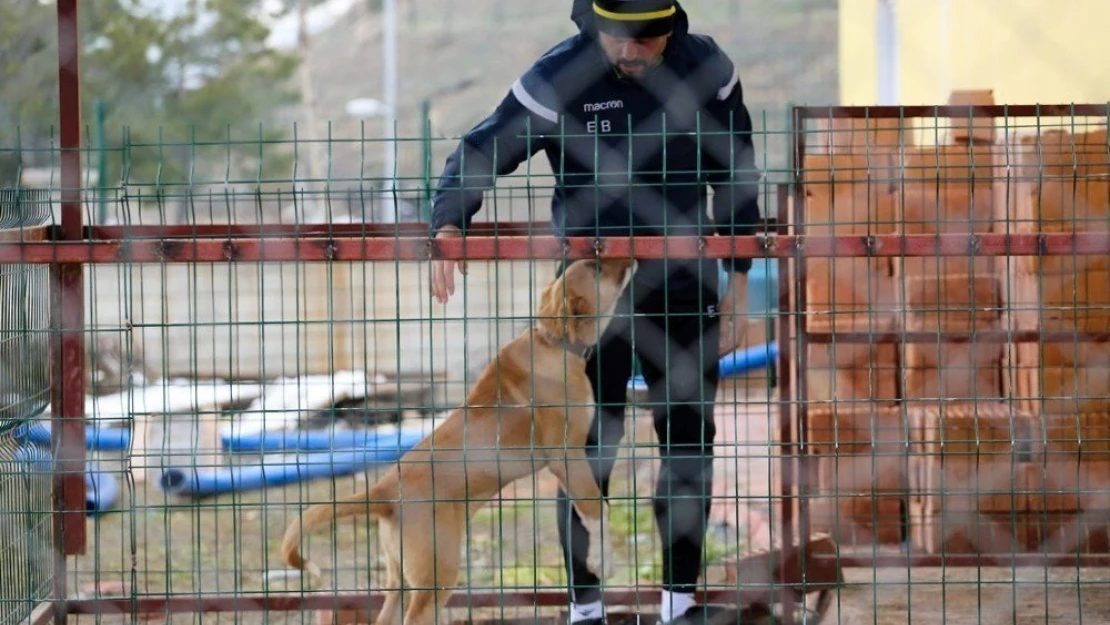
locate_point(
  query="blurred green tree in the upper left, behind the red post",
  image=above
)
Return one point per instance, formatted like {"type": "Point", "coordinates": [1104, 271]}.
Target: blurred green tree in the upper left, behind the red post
{"type": "Point", "coordinates": [176, 88]}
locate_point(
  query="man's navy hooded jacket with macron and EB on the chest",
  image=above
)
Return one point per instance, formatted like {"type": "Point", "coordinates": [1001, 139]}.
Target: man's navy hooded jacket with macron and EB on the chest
{"type": "Point", "coordinates": [631, 157]}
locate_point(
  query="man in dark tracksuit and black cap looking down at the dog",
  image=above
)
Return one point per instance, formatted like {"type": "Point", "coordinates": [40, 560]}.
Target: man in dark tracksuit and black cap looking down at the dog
{"type": "Point", "coordinates": [638, 118]}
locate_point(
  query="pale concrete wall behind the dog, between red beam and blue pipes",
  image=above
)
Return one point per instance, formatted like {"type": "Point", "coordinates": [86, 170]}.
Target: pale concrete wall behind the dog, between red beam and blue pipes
{"type": "Point", "coordinates": [250, 321]}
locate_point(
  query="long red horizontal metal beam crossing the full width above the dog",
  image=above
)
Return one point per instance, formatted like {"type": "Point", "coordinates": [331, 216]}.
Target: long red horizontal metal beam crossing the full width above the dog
{"type": "Point", "coordinates": [524, 248]}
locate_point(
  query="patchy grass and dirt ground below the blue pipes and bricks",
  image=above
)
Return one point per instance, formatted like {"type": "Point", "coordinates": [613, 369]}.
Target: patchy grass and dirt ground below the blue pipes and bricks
{"type": "Point", "coordinates": [163, 547]}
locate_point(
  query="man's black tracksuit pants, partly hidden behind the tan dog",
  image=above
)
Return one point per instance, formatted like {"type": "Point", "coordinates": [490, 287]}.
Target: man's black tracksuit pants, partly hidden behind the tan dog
{"type": "Point", "coordinates": [675, 336]}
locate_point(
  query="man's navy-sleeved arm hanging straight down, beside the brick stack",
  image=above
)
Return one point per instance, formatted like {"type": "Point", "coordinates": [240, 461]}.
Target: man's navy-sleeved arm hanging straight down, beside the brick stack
{"type": "Point", "coordinates": [729, 156]}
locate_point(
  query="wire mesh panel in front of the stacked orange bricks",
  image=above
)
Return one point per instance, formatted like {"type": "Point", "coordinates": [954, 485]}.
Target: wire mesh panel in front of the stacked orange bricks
{"type": "Point", "coordinates": [951, 388]}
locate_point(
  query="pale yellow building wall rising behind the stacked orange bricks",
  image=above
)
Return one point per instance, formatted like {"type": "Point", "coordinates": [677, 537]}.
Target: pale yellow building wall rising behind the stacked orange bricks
{"type": "Point", "coordinates": [1028, 52]}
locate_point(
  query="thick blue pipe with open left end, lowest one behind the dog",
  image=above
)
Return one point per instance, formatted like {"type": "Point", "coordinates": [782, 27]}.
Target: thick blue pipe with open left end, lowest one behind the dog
{"type": "Point", "coordinates": [197, 482]}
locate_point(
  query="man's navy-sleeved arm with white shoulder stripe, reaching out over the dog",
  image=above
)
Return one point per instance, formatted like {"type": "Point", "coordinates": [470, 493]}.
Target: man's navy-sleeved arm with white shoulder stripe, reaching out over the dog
{"type": "Point", "coordinates": [496, 147]}
